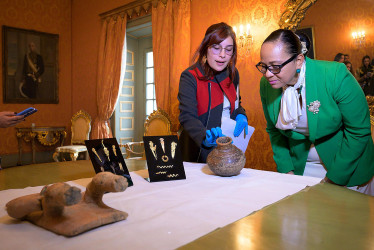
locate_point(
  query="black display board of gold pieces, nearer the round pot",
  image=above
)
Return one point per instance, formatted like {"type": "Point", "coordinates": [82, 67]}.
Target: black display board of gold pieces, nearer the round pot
{"type": "Point", "coordinates": [164, 159]}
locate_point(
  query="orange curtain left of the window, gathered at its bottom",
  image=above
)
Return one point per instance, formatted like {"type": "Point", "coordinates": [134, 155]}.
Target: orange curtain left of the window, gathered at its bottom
{"type": "Point", "coordinates": [112, 51]}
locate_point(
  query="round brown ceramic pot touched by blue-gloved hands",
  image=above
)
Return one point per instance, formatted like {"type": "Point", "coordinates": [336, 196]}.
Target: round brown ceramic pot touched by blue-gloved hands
{"type": "Point", "coordinates": [226, 159]}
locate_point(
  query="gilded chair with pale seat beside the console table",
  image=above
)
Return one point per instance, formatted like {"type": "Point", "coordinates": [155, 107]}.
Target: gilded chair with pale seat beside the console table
{"type": "Point", "coordinates": [80, 131]}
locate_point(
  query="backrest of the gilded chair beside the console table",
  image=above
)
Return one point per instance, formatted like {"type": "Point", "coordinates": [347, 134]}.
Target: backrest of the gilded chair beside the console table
{"type": "Point", "coordinates": [80, 127]}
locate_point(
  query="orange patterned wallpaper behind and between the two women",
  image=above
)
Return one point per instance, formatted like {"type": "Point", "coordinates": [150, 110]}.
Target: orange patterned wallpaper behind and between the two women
{"type": "Point", "coordinates": [263, 17]}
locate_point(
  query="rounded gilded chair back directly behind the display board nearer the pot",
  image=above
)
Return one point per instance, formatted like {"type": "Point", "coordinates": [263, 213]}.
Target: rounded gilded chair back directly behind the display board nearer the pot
{"type": "Point", "coordinates": [157, 123]}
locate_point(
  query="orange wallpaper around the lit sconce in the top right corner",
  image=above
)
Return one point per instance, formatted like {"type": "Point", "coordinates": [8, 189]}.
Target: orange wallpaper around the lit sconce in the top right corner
{"type": "Point", "coordinates": [333, 27]}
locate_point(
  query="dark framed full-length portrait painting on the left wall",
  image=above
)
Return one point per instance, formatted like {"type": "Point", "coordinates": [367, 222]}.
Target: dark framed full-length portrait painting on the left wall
{"type": "Point", "coordinates": [30, 66]}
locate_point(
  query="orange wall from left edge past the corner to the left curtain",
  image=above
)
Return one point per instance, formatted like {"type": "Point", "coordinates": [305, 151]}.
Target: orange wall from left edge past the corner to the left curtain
{"type": "Point", "coordinates": [78, 25]}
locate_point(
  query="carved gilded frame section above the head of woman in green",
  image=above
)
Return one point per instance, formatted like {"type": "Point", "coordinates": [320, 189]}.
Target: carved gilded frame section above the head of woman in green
{"type": "Point", "coordinates": [294, 13]}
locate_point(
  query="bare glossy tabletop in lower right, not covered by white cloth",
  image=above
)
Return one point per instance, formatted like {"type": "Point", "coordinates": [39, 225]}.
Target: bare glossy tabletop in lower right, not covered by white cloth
{"type": "Point", "coordinates": [324, 216]}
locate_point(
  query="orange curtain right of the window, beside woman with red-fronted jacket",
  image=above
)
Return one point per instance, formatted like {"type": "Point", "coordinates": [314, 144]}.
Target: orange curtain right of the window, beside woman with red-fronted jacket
{"type": "Point", "coordinates": [171, 52]}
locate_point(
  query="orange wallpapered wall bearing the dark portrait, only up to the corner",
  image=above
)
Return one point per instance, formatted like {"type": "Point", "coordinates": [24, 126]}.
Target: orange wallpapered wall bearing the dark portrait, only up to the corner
{"type": "Point", "coordinates": [50, 16]}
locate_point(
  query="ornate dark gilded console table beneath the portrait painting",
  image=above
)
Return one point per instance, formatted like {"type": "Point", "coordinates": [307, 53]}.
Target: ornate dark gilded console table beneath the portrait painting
{"type": "Point", "coordinates": [47, 136]}
